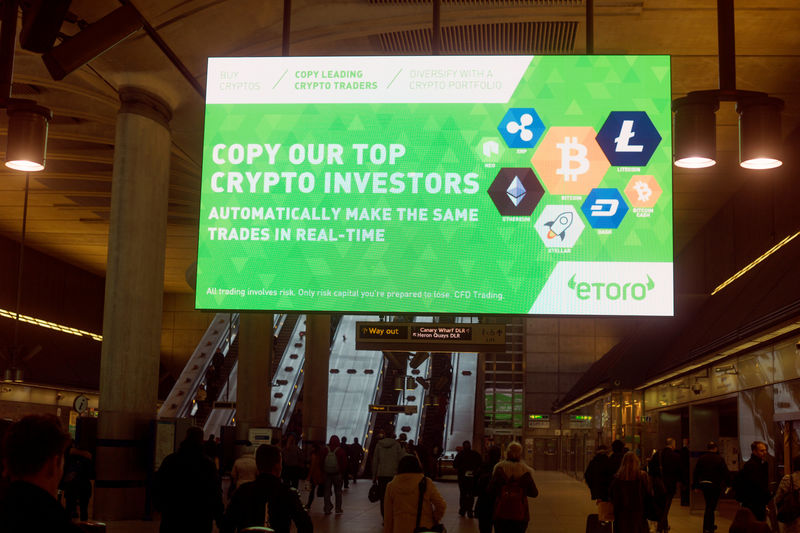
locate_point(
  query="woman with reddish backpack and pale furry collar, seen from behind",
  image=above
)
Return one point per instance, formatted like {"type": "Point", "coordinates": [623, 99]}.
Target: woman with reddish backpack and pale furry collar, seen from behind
{"type": "Point", "coordinates": [512, 484]}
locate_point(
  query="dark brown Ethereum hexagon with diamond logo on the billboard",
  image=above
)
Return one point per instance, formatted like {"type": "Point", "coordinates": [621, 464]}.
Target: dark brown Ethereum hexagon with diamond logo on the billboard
{"type": "Point", "coordinates": [516, 192]}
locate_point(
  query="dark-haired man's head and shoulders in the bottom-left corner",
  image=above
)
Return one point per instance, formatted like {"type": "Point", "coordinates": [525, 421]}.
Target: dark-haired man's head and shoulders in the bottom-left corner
{"type": "Point", "coordinates": [34, 454]}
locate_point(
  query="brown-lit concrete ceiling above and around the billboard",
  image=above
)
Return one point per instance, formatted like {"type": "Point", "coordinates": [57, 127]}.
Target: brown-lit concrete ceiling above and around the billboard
{"type": "Point", "coordinates": [69, 202]}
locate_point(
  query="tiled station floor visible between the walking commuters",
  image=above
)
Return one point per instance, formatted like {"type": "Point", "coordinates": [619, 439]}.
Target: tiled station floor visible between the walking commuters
{"type": "Point", "coordinates": [562, 506]}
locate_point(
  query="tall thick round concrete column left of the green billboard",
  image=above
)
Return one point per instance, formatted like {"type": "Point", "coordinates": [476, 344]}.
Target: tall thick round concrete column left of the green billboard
{"type": "Point", "coordinates": [133, 305]}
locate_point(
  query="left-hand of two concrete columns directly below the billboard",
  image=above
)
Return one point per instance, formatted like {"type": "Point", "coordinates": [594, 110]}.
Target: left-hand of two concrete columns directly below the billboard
{"type": "Point", "coordinates": [254, 372]}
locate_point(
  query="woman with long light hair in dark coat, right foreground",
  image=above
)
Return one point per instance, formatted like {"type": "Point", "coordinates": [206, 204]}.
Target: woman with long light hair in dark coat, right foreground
{"type": "Point", "coordinates": [628, 493]}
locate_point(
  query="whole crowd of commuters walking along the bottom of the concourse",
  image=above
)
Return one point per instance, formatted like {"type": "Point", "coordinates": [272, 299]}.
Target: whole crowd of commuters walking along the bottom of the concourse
{"type": "Point", "coordinates": [41, 462]}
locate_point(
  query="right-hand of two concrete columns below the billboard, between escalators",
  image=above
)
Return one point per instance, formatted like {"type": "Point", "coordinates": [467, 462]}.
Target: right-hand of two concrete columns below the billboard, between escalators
{"type": "Point", "coordinates": [315, 380]}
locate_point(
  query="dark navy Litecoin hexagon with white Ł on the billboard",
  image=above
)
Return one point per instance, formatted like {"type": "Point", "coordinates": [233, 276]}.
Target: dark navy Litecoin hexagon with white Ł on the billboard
{"type": "Point", "coordinates": [628, 138]}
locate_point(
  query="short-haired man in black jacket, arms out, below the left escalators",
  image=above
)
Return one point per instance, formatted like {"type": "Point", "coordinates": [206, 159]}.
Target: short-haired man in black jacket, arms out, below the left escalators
{"type": "Point", "coordinates": [266, 501]}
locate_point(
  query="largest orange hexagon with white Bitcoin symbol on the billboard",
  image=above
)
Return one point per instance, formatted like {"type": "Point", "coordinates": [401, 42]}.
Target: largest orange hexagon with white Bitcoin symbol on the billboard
{"type": "Point", "coordinates": [569, 161]}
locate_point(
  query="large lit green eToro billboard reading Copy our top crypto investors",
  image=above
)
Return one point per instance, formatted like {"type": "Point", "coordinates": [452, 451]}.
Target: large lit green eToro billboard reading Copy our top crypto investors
{"type": "Point", "coordinates": [491, 184]}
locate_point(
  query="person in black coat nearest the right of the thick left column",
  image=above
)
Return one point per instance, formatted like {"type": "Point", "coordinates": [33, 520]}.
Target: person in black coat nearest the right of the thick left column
{"type": "Point", "coordinates": [187, 488]}
